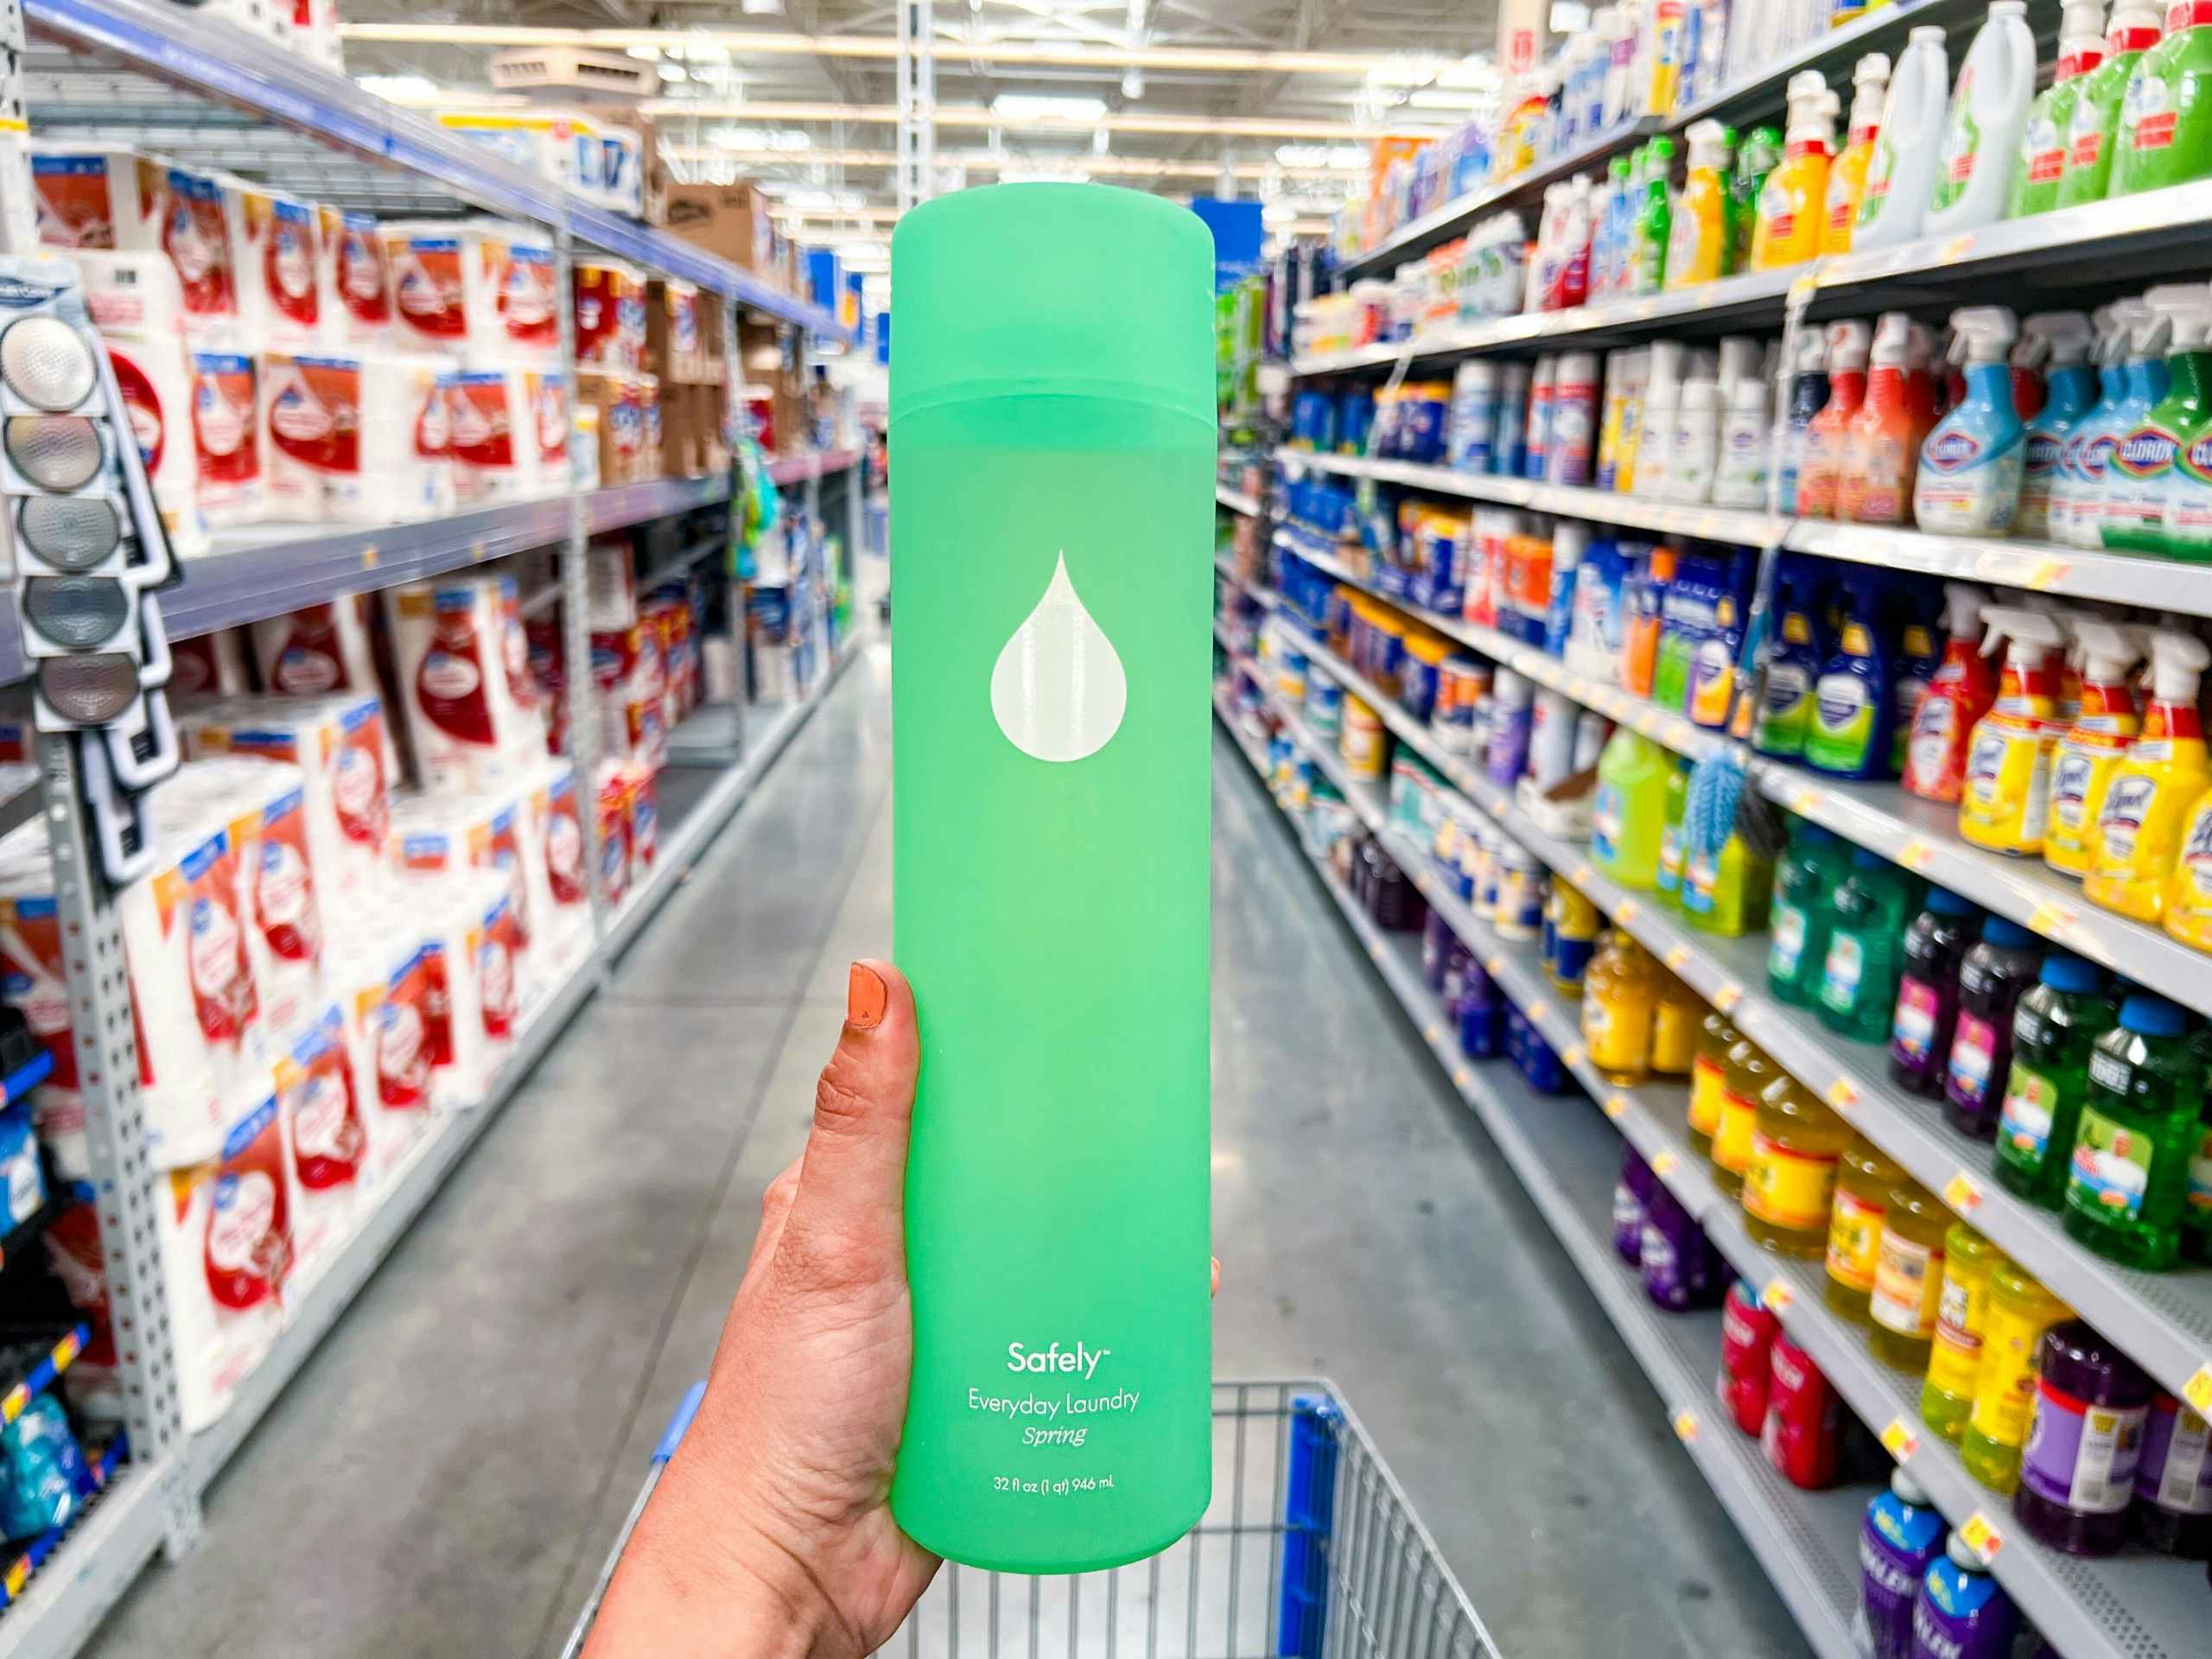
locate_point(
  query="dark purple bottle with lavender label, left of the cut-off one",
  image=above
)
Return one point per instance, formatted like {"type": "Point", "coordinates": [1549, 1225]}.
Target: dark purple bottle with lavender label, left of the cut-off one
{"type": "Point", "coordinates": [2085, 1441]}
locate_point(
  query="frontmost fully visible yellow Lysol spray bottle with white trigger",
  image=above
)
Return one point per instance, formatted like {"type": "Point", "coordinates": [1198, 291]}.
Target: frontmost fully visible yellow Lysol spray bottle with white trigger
{"type": "Point", "coordinates": [2153, 789]}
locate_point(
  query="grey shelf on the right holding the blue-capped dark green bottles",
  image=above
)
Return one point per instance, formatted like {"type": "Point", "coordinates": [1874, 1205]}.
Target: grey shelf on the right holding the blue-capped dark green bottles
{"type": "Point", "coordinates": [2164, 1322]}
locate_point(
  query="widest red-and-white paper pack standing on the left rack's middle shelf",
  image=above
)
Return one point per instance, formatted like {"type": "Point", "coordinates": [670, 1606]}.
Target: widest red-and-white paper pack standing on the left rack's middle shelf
{"type": "Point", "coordinates": [359, 439]}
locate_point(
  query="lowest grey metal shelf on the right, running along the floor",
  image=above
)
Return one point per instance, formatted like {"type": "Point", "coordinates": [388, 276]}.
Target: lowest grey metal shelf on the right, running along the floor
{"type": "Point", "coordinates": [1567, 1160]}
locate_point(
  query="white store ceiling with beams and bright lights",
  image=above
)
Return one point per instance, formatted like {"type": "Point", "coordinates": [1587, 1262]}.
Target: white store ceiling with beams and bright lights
{"type": "Point", "coordinates": [820, 125]}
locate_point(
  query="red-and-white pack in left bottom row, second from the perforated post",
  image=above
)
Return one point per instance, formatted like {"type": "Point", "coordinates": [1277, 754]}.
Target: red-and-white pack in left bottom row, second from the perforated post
{"type": "Point", "coordinates": [326, 1145]}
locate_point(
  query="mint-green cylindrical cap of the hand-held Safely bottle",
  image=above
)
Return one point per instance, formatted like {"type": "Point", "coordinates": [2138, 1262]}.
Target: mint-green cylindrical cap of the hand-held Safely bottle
{"type": "Point", "coordinates": [1054, 291]}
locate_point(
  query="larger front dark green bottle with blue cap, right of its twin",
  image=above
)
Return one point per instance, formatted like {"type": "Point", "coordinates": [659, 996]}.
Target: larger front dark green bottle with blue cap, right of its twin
{"type": "Point", "coordinates": [2138, 1136]}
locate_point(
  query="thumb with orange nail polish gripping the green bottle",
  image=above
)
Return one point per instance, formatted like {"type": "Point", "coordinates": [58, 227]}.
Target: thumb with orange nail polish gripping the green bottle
{"type": "Point", "coordinates": [848, 1220]}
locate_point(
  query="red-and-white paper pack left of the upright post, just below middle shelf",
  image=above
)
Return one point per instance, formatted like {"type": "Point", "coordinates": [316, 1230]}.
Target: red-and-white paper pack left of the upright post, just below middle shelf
{"type": "Point", "coordinates": [466, 685]}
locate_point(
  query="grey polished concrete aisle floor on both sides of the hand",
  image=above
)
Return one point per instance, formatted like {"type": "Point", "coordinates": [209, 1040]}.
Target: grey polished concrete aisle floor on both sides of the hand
{"type": "Point", "coordinates": [452, 1465]}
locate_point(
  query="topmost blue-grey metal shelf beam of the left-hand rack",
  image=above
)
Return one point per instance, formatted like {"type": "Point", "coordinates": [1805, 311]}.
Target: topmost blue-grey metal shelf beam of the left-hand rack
{"type": "Point", "coordinates": [187, 48]}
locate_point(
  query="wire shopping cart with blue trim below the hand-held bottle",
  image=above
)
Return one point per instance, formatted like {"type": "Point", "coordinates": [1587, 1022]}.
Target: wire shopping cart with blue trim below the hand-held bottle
{"type": "Point", "coordinates": [1306, 1552]}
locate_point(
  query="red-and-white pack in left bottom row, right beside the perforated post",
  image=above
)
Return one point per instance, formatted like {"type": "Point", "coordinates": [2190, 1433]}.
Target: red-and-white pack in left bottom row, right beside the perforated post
{"type": "Point", "coordinates": [227, 1249]}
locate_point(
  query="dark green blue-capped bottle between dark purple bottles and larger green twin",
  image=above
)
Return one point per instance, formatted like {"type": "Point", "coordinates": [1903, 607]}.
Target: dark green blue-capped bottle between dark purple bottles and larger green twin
{"type": "Point", "coordinates": [2056, 1025]}
